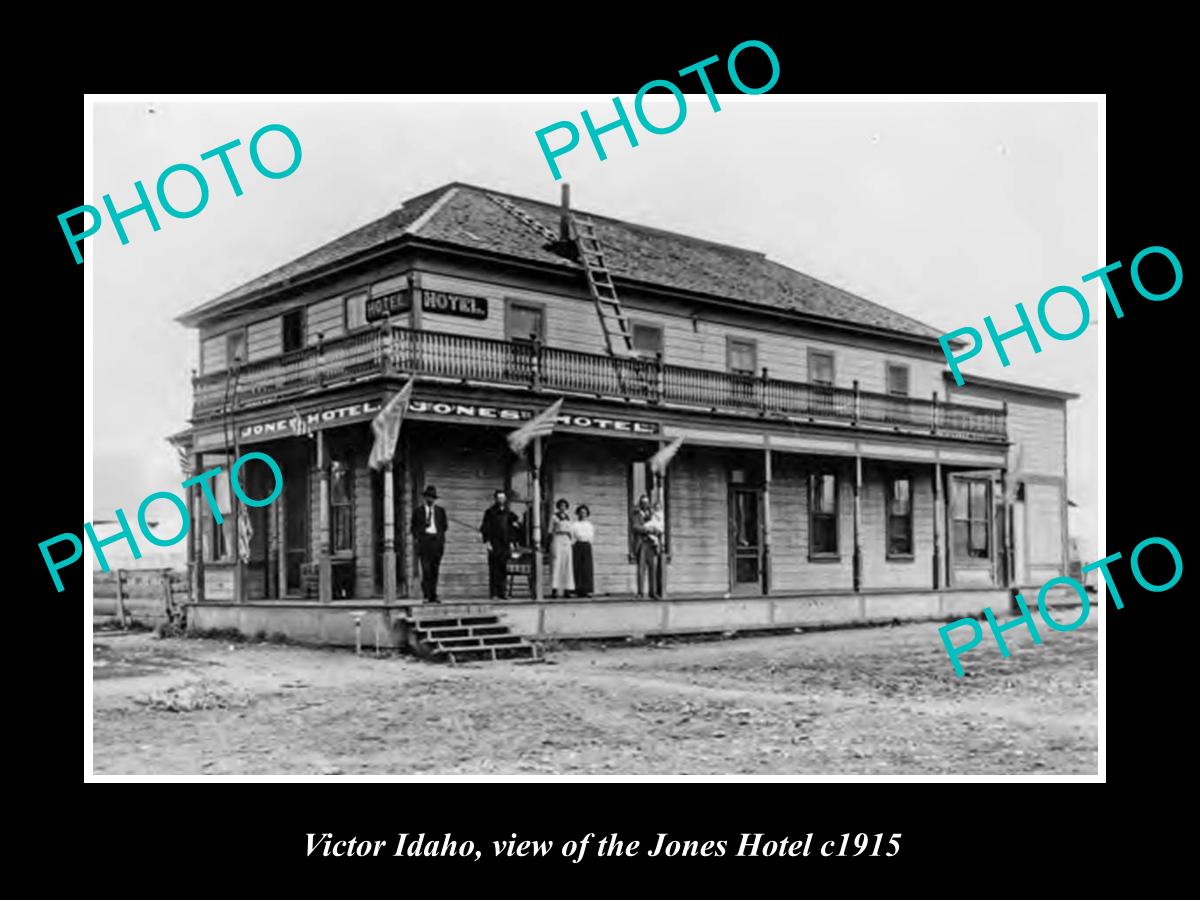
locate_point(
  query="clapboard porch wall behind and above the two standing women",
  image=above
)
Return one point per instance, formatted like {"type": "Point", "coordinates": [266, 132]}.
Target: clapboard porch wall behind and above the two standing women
{"type": "Point", "coordinates": [597, 473]}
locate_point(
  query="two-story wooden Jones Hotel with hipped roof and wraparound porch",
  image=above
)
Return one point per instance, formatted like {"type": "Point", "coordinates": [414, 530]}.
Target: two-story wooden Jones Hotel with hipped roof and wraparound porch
{"type": "Point", "coordinates": [831, 470]}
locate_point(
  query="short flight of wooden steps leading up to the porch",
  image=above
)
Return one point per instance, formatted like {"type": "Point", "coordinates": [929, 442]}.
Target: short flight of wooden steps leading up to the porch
{"type": "Point", "coordinates": [461, 633]}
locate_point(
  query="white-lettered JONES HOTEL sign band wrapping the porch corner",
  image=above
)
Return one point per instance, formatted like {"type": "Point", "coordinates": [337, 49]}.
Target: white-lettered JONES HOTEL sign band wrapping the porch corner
{"type": "Point", "coordinates": [311, 421]}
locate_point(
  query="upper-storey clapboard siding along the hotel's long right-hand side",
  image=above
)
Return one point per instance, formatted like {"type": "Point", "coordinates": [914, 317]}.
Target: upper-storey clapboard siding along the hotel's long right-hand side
{"type": "Point", "coordinates": [572, 323]}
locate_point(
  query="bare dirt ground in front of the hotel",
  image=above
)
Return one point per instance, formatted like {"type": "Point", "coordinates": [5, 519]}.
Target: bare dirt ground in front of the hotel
{"type": "Point", "coordinates": [865, 701]}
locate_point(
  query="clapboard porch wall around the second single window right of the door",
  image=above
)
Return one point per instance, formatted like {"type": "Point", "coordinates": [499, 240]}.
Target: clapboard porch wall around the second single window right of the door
{"type": "Point", "coordinates": [879, 572]}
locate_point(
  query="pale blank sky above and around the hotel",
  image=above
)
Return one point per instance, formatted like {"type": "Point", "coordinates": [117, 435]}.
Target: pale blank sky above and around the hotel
{"type": "Point", "coordinates": [944, 212]}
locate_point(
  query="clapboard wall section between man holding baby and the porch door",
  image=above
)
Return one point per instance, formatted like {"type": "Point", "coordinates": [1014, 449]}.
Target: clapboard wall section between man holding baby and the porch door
{"type": "Point", "coordinates": [699, 524]}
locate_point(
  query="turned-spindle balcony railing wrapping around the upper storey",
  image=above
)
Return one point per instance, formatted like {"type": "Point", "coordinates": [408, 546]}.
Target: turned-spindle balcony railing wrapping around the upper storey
{"type": "Point", "coordinates": [539, 368]}
